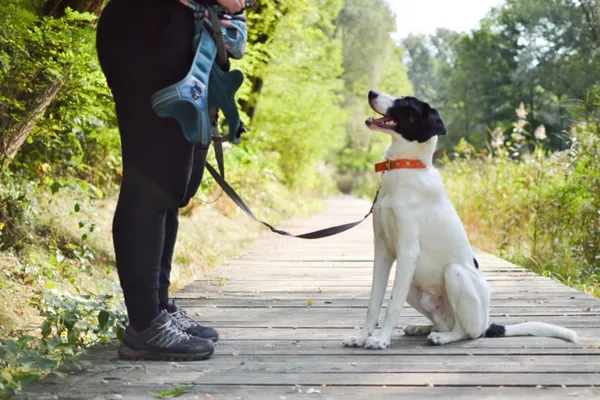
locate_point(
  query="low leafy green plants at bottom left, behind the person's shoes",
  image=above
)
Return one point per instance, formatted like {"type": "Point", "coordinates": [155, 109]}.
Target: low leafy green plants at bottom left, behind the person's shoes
{"type": "Point", "coordinates": [71, 325]}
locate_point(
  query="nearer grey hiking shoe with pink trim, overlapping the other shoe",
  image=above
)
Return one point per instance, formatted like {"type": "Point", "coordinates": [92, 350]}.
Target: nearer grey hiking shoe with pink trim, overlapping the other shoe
{"type": "Point", "coordinates": [164, 341]}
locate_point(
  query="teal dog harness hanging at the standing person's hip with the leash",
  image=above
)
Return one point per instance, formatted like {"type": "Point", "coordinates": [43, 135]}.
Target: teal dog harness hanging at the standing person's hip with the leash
{"type": "Point", "coordinates": [206, 84]}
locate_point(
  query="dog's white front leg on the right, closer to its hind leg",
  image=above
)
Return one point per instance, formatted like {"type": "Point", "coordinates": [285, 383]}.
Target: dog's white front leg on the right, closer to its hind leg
{"type": "Point", "coordinates": [406, 265]}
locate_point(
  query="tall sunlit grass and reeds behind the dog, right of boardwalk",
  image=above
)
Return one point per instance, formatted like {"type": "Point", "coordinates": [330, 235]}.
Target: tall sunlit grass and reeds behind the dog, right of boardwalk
{"type": "Point", "coordinates": [538, 208]}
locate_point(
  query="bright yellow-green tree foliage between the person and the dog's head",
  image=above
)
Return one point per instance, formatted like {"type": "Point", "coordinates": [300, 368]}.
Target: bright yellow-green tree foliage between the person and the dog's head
{"type": "Point", "coordinates": [299, 120]}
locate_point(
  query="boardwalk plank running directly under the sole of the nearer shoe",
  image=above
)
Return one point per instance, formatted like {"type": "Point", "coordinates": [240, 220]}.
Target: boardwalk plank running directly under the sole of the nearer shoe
{"type": "Point", "coordinates": [105, 361]}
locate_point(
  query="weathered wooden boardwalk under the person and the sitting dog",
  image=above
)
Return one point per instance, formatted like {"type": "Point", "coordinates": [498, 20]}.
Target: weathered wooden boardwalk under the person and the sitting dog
{"type": "Point", "coordinates": [284, 307]}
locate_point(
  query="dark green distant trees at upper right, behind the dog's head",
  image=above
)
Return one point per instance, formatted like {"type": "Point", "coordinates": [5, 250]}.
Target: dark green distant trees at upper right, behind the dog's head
{"type": "Point", "coordinates": [544, 53]}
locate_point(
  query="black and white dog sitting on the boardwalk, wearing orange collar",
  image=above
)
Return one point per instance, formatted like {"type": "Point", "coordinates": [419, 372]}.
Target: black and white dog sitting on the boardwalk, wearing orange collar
{"type": "Point", "coordinates": [416, 225]}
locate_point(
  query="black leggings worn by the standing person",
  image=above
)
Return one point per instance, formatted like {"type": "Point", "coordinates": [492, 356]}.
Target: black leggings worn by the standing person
{"type": "Point", "coordinates": [143, 46]}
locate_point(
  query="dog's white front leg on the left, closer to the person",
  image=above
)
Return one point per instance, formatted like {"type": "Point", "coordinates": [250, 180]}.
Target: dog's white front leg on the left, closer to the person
{"type": "Point", "coordinates": [381, 273]}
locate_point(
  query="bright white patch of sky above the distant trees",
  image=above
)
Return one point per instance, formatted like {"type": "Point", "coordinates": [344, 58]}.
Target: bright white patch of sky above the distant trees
{"type": "Point", "coordinates": [426, 16]}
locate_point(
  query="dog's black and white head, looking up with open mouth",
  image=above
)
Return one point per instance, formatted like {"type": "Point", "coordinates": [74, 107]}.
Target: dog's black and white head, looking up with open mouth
{"type": "Point", "coordinates": [409, 117]}
